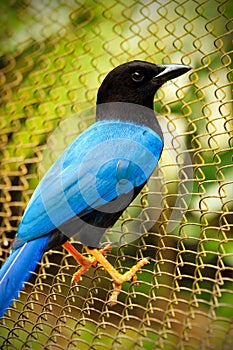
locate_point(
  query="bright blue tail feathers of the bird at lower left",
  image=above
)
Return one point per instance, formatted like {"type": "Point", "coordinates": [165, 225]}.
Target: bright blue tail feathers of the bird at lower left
{"type": "Point", "coordinates": [17, 269]}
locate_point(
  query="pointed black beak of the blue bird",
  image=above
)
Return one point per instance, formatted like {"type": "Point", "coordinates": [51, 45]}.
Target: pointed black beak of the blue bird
{"type": "Point", "coordinates": [170, 71]}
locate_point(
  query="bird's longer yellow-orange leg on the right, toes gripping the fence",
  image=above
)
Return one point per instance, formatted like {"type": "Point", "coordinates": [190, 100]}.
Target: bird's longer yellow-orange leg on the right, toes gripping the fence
{"type": "Point", "coordinates": [118, 278]}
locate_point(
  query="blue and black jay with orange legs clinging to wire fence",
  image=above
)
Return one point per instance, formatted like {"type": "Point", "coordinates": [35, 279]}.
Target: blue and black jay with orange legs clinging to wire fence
{"type": "Point", "coordinates": [95, 179]}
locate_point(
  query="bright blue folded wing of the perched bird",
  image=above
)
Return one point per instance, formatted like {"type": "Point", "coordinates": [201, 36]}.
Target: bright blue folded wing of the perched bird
{"type": "Point", "coordinates": [108, 159]}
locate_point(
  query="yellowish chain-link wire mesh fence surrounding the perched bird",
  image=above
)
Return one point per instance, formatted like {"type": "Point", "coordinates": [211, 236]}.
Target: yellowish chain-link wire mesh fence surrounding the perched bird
{"type": "Point", "coordinates": [53, 57]}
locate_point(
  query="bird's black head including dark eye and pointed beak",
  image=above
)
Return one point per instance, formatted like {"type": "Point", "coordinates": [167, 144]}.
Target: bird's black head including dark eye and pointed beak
{"type": "Point", "coordinates": [137, 82]}
